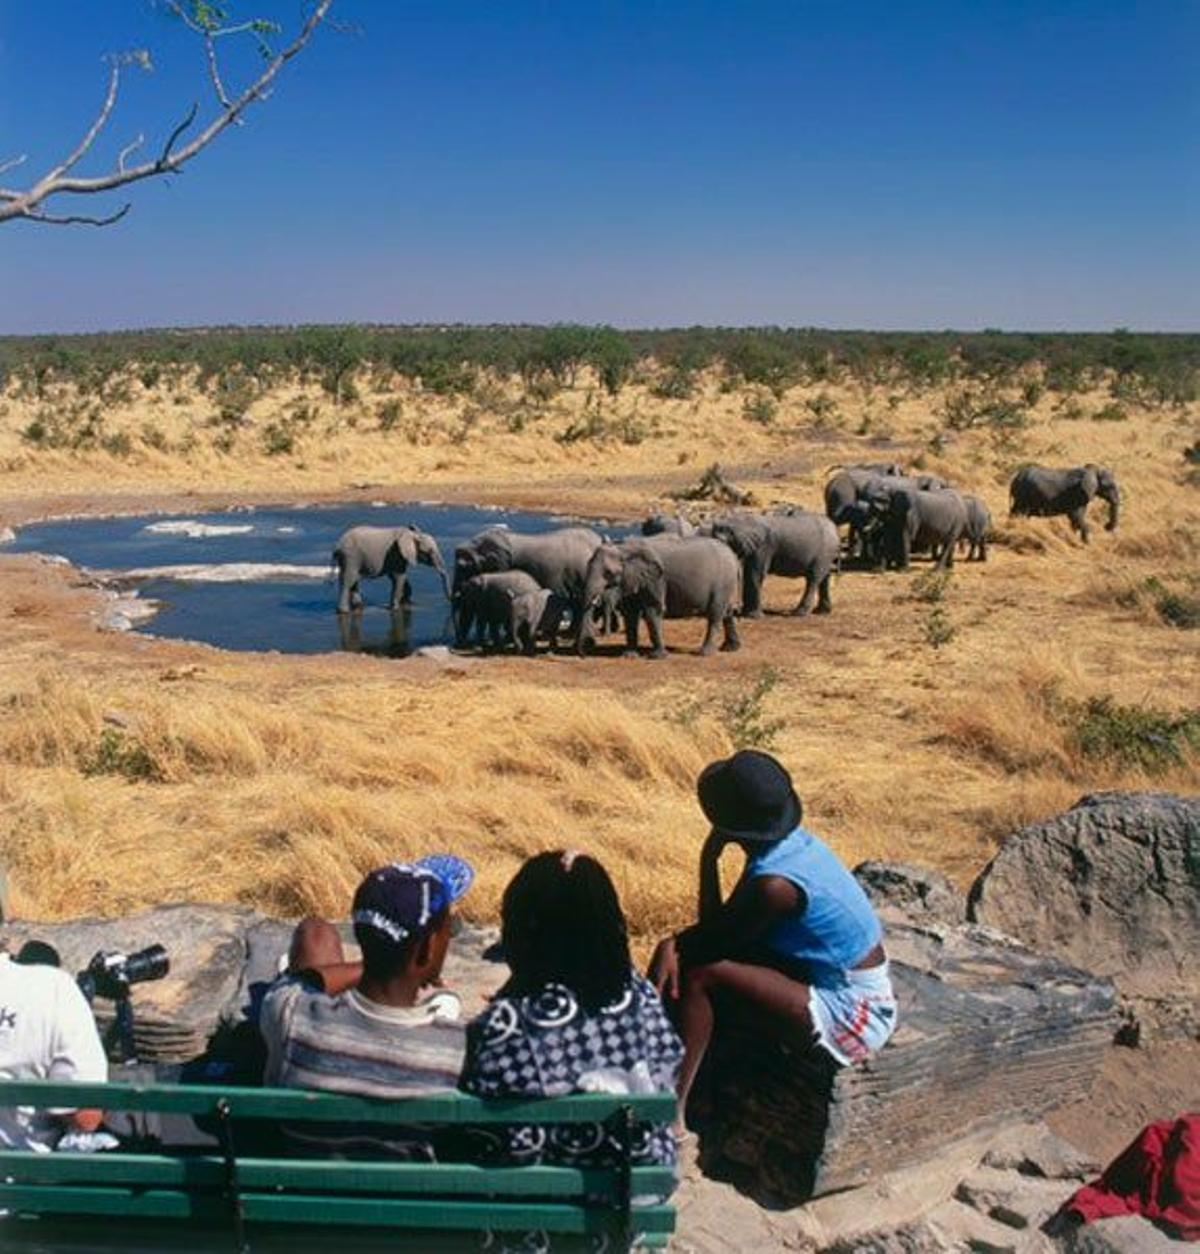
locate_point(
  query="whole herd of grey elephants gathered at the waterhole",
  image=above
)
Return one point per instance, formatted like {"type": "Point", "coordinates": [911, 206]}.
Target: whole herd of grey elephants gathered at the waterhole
{"type": "Point", "coordinates": [513, 590]}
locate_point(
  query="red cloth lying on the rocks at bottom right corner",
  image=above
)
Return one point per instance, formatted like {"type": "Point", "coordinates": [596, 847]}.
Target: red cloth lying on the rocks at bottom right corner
{"type": "Point", "coordinates": [1158, 1177]}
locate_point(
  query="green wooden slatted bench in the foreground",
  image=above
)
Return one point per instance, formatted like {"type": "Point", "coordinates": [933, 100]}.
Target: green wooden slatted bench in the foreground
{"type": "Point", "coordinates": [260, 1198]}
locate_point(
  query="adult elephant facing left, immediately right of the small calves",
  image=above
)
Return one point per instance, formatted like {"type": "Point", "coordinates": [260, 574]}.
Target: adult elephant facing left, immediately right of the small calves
{"type": "Point", "coordinates": [659, 579]}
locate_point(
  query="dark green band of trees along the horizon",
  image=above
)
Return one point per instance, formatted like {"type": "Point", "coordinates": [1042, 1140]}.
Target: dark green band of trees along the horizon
{"type": "Point", "coordinates": [1157, 368]}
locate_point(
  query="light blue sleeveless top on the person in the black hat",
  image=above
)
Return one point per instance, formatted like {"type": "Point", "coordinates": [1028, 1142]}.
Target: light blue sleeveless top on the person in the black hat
{"type": "Point", "coordinates": [838, 929]}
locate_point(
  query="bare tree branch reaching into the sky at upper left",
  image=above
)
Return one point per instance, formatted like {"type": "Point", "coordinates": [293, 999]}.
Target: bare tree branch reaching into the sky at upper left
{"type": "Point", "coordinates": [57, 182]}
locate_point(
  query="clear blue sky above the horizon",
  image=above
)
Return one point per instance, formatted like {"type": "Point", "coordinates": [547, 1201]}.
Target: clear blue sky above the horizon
{"type": "Point", "coordinates": [636, 162]}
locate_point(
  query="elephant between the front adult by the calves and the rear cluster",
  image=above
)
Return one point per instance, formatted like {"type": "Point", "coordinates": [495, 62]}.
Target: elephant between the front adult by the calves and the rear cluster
{"type": "Point", "coordinates": [794, 545]}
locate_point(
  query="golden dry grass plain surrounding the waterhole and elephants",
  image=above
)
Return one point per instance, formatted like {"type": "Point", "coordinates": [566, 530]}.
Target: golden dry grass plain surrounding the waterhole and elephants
{"type": "Point", "coordinates": [278, 782]}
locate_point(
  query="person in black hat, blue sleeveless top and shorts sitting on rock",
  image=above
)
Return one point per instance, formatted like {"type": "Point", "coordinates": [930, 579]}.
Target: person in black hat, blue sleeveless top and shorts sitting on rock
{"type": "Point", "coordinates": [796, 944]}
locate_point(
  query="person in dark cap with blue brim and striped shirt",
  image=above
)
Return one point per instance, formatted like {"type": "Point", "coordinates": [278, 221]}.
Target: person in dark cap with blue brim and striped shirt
{"type": "Point", "coordinates": [382, 1026]}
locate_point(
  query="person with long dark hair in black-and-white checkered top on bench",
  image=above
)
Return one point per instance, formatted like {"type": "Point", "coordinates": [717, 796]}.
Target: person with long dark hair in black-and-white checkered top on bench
{"type": "Point", "coordinates": [575, 1016]}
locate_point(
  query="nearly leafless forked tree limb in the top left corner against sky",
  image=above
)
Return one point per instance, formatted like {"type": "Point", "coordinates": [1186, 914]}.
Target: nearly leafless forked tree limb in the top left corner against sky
{"type": "Point", "coordinates": [211, 24]}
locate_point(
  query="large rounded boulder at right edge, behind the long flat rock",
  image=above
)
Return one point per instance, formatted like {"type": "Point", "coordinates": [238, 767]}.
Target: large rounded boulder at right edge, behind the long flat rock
{"type": "Point", "coordinates": [1113, 885]}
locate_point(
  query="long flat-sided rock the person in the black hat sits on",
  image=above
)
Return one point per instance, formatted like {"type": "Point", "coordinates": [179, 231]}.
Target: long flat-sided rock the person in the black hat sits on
{"type": "Point", "coordinates": [990, 1035]}
